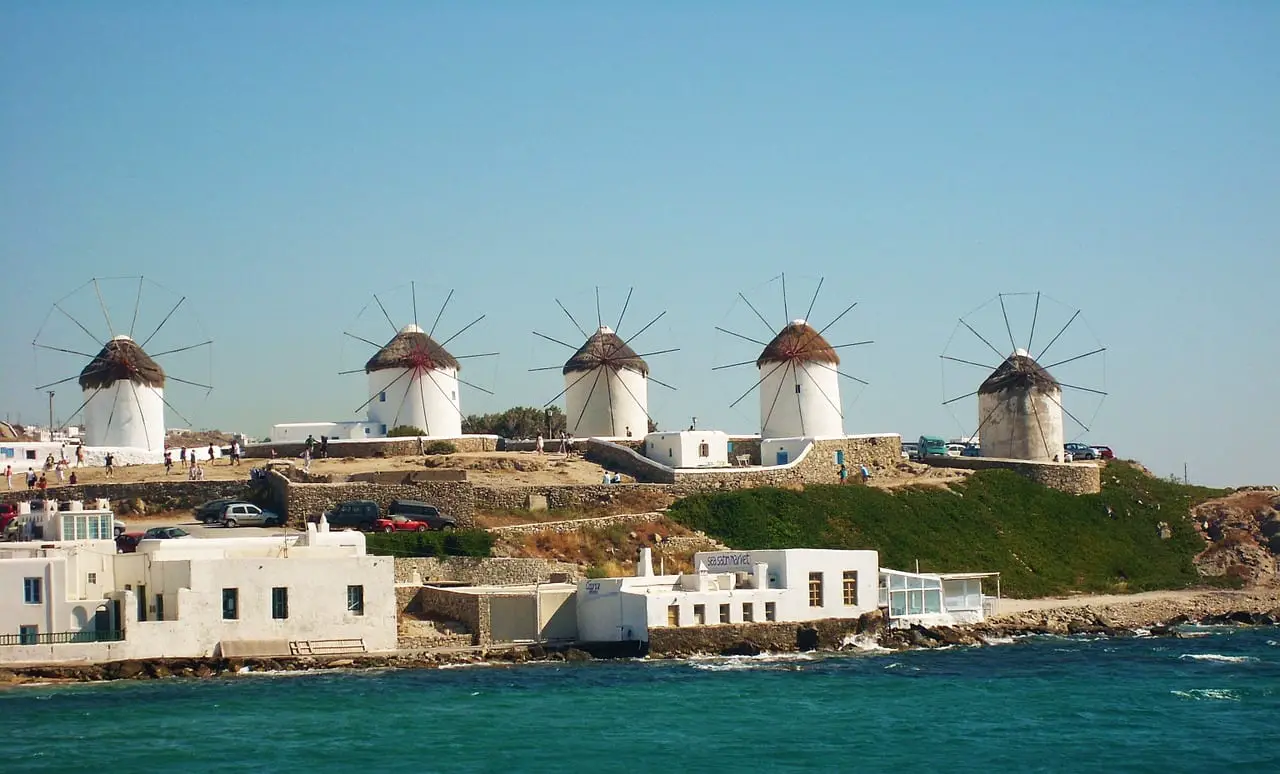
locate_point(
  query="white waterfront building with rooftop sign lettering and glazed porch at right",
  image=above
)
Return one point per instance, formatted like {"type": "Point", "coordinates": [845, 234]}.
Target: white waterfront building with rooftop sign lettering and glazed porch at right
{"type": "Point", "coordinates": [793, 585]}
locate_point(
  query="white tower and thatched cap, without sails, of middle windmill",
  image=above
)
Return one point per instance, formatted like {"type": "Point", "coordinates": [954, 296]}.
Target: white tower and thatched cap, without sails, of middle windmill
{"type": "Point", "coordinates": [607, 390]}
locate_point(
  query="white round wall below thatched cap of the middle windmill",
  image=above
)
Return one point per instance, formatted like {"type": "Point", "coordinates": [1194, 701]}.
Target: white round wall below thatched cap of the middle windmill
{"type": "Point", "coordinates": [619, 402]}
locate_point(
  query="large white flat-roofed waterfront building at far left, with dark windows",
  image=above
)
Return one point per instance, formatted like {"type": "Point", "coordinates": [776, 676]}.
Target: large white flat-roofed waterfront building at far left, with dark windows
{"type": "Point", "coordinates": [286, 596]}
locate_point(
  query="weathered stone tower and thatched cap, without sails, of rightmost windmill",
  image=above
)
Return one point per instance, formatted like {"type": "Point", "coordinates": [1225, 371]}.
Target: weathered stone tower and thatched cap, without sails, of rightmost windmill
{"type": "Point", "coordinates": [1021, 411]}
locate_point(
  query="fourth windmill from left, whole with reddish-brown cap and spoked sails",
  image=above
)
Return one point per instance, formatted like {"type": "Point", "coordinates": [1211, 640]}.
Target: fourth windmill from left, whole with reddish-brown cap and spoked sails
{"type": "Point", "coordinates": [799, 384]}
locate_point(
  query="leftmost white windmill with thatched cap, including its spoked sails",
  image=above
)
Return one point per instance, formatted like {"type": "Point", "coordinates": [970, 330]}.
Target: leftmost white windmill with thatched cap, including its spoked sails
{"type": "Point", "coordinates": [124, 387]}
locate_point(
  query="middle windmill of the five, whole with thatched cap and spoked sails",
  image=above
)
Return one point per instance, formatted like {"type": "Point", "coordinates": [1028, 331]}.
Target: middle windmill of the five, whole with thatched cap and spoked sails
{"type": "Point", "coordinates": [606, 382]}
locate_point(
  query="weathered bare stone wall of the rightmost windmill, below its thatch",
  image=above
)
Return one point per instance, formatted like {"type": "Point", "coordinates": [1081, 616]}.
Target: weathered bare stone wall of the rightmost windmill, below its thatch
{"type": "Point", "coordinates": [1022, 425]}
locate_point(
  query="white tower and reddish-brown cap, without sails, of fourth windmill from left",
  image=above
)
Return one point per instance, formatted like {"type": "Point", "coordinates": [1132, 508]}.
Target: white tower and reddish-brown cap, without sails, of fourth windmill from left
{"type": "Point", "coordinates": [799, 386]}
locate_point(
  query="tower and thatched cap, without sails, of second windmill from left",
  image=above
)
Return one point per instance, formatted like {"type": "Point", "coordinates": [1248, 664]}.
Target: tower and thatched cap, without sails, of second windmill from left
{"type": "Point", "coordinates": [414, 382]}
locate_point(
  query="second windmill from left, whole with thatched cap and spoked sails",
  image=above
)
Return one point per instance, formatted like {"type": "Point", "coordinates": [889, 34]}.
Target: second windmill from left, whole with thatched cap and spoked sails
{"type": "Point", "coordinates": [413, 379]}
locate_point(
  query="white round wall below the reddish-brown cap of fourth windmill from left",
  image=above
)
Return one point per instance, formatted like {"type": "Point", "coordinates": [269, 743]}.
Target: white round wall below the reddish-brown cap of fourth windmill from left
{"type": "Point", "coordinates": [816, 410]}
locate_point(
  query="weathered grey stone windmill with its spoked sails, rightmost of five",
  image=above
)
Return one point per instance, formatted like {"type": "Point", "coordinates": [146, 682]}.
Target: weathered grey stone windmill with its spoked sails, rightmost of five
{"type": "Point", "coordinates": [1021, 411]}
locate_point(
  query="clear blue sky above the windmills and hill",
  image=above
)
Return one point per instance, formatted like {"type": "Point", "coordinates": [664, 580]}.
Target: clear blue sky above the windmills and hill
{"type": "Point", "coordinates": [280, 166]}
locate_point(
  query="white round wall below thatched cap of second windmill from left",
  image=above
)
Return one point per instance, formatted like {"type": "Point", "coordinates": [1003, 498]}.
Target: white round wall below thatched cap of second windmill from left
{"type": "Point", "coordinates": [429, 400]}
